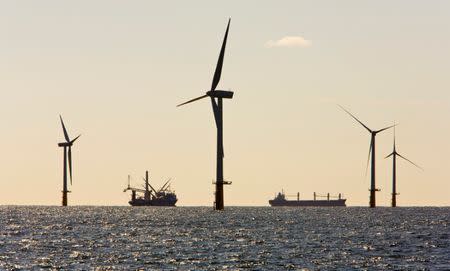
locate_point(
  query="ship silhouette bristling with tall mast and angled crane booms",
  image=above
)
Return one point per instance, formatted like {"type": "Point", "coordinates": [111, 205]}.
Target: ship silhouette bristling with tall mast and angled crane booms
{"type": "Point", "coordinates": [150, 196]}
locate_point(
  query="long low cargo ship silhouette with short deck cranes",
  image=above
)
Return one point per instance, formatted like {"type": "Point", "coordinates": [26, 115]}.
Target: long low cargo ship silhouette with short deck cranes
{"type": "Point", "coordinates": [280, 200]}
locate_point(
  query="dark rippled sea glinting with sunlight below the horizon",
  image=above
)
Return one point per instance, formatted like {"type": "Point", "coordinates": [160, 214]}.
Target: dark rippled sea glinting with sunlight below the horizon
{"type": "Point", "coordinates": [263, 238]}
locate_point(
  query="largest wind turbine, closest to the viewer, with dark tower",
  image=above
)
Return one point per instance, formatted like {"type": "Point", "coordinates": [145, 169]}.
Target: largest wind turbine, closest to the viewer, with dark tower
{"type": "Point", "coordinates": [218, 113]}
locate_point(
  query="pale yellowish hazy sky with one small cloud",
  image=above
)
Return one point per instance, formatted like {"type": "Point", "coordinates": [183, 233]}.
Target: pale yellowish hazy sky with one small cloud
{"type": "Point", "coordinates": [115, 71]}
